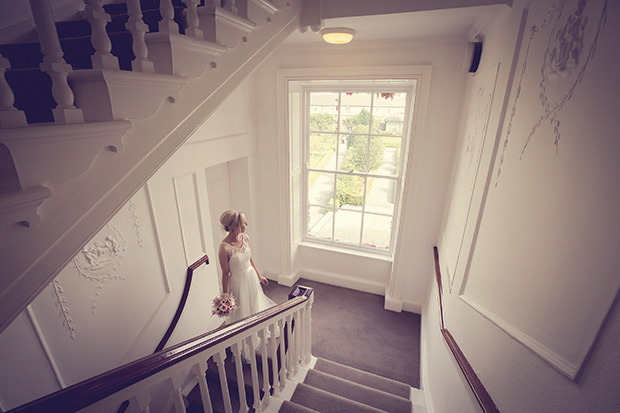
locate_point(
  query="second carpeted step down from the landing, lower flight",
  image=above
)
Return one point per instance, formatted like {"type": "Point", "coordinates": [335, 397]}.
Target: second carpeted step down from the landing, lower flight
{"type": "Point", "coordinates": [358, 392]}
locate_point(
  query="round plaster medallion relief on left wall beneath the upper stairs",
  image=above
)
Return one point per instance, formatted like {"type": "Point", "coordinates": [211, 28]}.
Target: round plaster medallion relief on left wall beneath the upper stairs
{"type": "Point", "coordinates": [100, 260]}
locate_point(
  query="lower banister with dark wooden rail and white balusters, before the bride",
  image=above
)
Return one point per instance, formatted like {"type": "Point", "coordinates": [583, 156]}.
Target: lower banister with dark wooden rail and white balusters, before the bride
{"type": "Point", "coordinates": [186, 365]}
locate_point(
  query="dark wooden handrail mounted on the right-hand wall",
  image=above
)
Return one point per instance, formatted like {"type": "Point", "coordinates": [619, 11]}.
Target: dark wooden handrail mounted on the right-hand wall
{"type": "Point", "coordinates": [482, 395]}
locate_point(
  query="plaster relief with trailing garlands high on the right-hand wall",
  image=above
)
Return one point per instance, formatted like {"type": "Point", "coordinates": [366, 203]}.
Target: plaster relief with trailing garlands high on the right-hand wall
{"type": "Point", "coordinates": [571, 31]}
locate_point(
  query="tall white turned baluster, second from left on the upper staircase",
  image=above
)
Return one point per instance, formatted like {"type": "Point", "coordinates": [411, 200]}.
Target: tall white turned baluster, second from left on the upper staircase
{"type": "Point", "coordinates": [54, 65]}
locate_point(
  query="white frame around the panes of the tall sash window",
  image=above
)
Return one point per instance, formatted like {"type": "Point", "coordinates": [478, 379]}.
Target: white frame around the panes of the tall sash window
{"type": "Point", "coordinates": [295, 232]}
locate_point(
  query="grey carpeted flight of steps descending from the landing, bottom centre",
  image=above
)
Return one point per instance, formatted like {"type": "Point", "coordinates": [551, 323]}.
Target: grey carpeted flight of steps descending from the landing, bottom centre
{"type": "Point", "coordinates": [333, 387]}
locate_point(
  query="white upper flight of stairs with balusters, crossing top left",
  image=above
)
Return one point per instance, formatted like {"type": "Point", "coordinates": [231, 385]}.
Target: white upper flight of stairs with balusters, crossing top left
{"type": "Point", "coordinates": [65, 169]}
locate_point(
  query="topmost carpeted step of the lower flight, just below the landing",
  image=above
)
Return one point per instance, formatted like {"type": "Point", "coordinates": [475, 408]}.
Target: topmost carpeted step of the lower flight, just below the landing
{"type": "Point", "coordinates": [363, 377]}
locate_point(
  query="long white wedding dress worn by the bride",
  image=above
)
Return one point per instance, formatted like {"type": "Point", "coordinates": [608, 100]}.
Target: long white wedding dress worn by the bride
{"type": "Point", "coordinates": [243, 282]}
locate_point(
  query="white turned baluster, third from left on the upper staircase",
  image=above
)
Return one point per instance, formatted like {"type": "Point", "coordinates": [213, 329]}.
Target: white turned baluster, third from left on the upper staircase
{"type": "Point", "coordinates": [98, 19]}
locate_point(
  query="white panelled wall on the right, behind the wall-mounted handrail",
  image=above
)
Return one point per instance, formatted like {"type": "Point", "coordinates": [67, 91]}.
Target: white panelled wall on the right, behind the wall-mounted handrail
{"type": "Point", "coordinates": [542, 278]}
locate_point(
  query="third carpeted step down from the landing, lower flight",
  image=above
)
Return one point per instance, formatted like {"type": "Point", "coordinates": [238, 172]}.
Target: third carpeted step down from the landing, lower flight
{"type": "Point", "coordinates": [326, 402]}
